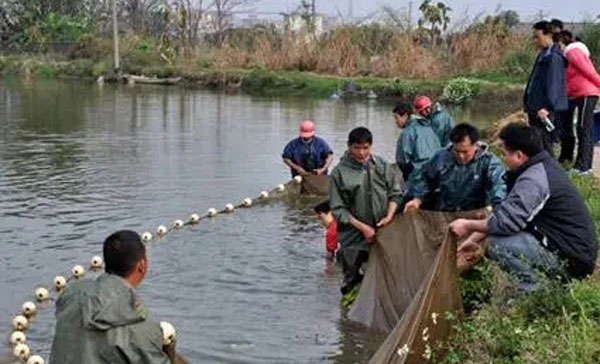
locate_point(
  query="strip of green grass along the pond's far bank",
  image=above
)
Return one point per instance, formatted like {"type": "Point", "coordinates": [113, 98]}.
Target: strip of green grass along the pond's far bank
{"type": "Point", "coordinates": [264, 82]}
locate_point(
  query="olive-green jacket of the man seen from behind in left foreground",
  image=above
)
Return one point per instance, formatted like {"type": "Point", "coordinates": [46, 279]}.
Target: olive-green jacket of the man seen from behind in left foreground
{"type": "Point", "coordinates": [100, 322]}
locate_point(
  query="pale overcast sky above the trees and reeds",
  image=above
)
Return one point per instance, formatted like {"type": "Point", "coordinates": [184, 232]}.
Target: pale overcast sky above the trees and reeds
{"type": "Point", "coordinates": [569, 10]}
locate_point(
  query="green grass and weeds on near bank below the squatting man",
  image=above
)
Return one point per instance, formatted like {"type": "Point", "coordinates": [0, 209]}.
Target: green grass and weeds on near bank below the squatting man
{"type": "Point", "coordinates": [556, 324]}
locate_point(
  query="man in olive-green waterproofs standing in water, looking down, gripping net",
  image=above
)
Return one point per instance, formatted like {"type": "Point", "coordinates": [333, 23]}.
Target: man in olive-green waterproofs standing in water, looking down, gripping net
{"type": "Point", "coordinates": [364, 193]}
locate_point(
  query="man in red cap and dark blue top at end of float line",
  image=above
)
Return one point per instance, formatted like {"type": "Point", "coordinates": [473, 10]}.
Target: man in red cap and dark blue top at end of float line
{"type": "Point", "coordinates": [308, 153]}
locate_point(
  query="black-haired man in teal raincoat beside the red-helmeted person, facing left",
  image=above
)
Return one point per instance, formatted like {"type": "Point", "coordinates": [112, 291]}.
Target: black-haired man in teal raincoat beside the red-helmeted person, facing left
{"type": "Point", "coordinates": [416, 145]}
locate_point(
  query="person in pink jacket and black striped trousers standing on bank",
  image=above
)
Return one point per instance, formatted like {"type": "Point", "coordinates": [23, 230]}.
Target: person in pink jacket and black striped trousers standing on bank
{"type": "Point", "coordinates": [583, 89]}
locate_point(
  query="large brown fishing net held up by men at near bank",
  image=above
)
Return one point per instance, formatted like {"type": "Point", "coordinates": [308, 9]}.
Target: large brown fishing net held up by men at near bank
{"type": "Point", "coordinates": [411, 286]}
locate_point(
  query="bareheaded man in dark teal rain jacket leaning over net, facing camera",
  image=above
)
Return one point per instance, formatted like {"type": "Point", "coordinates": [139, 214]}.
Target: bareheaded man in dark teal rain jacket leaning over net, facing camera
{"type": "Point", "coordinates": [467, 175]}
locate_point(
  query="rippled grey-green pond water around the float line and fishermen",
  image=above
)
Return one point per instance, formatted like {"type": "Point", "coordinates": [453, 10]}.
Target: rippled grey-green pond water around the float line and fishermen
{"type": "Point", "coordinates": [79, 161]}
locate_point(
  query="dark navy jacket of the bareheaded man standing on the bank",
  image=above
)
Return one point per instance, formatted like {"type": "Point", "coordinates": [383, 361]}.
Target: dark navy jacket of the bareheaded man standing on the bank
{"type": "Point", "coordinates": [547, 86]}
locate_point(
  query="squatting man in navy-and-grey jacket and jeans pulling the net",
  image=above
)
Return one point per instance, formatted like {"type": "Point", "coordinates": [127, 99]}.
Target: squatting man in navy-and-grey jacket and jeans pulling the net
{"type": "Point", "coordinates": [543, 226]}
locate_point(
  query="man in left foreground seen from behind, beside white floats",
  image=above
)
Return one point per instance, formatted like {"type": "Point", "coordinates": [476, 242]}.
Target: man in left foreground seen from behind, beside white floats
{"type": "Point", "coordinates": [102, 321]}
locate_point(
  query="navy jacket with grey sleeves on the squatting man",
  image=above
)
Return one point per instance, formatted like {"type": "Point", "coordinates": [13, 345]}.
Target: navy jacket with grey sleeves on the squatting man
{"type": "Point", "coordinates": [542, 201]}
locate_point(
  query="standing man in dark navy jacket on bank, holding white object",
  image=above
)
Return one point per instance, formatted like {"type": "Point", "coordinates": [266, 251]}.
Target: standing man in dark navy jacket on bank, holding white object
{"type": "Point", "coordinates": [546, 95]}
